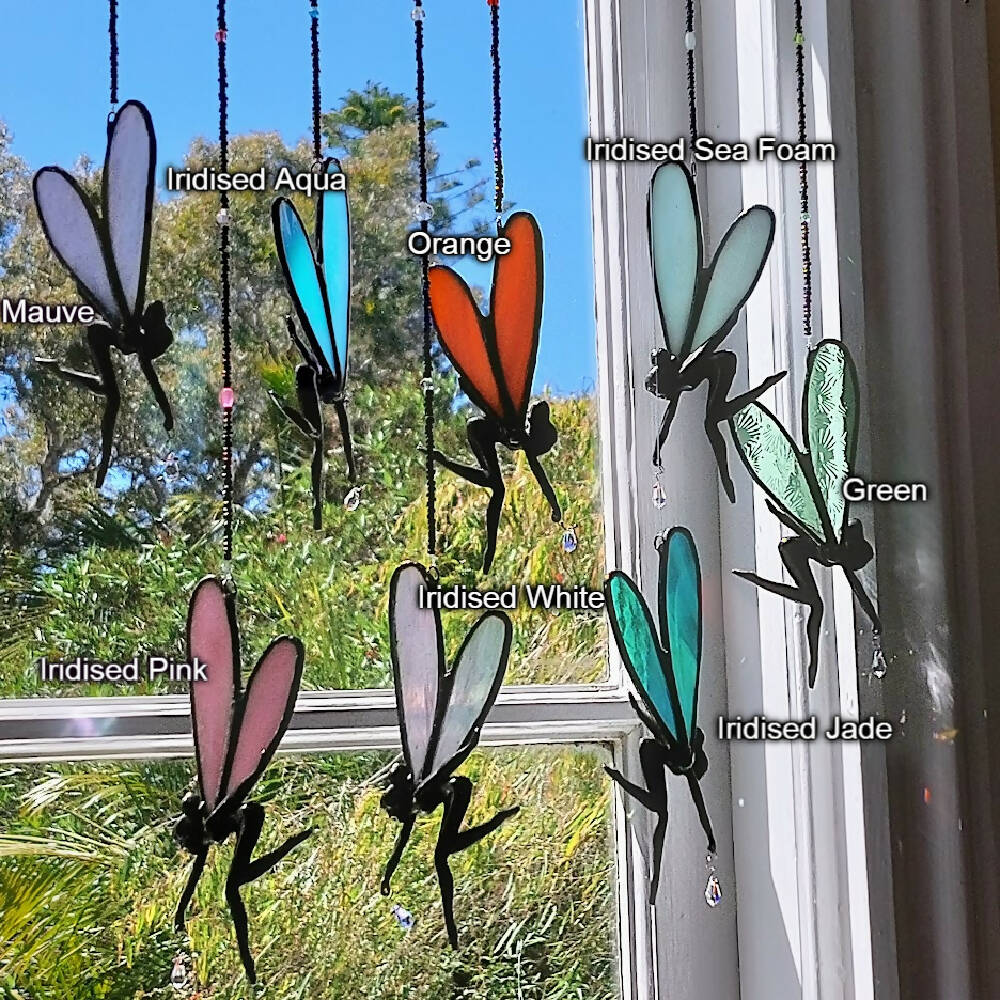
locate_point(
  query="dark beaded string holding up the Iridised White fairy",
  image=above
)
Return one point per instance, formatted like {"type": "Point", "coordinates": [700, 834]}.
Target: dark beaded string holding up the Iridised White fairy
{"type": "Point", "coordinates": [424, 213]}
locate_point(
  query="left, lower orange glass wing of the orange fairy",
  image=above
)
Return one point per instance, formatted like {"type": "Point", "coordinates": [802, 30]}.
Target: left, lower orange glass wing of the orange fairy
{"type": "Point", "coordinates": [460, 328]}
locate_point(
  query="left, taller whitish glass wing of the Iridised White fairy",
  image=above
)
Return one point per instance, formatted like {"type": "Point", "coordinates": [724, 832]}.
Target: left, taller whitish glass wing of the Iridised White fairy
{"type": "Point", "coordinates": [416, 646]}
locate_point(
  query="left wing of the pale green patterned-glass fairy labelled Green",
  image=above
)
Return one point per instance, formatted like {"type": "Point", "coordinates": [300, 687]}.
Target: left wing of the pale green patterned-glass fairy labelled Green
{"type": "Point", "coordinates": [772, 459]}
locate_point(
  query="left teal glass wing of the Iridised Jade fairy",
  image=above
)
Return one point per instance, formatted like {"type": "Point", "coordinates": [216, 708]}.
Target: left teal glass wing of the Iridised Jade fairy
{"type": "Point", "coordinates": [635, 635]}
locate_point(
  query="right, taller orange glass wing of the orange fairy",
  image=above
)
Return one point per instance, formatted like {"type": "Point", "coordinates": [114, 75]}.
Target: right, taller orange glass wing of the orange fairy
{"type": "Point", "coordinates": [516, 307]}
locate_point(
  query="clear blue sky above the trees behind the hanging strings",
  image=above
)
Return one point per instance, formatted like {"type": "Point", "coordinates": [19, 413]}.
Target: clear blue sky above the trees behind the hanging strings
{"type": "Point", "coordinates": [54, 82]}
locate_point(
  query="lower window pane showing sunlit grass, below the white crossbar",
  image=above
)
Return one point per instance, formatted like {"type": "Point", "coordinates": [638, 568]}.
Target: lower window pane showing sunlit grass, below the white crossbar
{"type": "Point", "coordinates": [90, 876]}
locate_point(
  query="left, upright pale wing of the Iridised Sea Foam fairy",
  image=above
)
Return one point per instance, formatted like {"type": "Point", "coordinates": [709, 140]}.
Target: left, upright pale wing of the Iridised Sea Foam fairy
{"type": "Point", "coordinates": [675, 244]}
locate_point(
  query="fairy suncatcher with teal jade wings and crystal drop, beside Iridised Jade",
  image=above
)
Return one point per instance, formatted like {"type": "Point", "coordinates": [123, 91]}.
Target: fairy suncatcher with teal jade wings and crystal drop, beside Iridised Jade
{"type": "Point", "coordinates": [665, 669]}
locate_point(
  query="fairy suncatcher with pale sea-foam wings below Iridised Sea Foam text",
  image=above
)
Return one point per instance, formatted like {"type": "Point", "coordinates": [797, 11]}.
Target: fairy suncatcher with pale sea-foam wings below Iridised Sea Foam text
{"type": "Point", "coordinates": [699, 305]}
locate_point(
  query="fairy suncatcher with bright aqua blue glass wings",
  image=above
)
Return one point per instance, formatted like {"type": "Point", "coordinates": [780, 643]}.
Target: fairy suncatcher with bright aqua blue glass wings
{"type": "Point", "coordinates": [320, 287]}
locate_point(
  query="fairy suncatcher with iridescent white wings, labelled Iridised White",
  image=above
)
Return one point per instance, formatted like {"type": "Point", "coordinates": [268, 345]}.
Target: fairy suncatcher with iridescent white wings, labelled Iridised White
{"type": "Point", "coordinates": [441, 715]}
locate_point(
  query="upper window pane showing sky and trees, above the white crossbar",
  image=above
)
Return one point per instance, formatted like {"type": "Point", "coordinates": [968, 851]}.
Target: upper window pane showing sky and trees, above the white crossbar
{"type": "Point", "coordinates": [107, 575]}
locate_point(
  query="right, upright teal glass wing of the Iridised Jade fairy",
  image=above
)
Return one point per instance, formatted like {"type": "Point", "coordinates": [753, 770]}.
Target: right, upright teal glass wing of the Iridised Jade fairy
{"type": "Point", "coordinates": [680, 600]}
